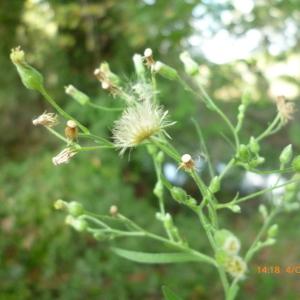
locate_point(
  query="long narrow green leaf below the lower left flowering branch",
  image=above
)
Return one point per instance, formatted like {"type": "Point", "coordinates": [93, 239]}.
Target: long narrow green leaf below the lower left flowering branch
{"type": "Point", "coordinates": [155, 258]}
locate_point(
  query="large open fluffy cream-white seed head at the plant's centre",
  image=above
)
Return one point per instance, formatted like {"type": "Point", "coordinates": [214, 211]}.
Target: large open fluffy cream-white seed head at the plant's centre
{"type": "Point", "coordinates": [138, 123]}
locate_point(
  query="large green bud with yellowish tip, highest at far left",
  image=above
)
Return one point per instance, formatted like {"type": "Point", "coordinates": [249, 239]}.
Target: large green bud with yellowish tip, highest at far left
{"type": "Point", "coordinates": [31, 78]}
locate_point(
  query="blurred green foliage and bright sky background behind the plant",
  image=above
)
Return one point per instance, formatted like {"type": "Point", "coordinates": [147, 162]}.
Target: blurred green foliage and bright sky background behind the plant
{"type": "Point", "coordinates": [240, 44]}
